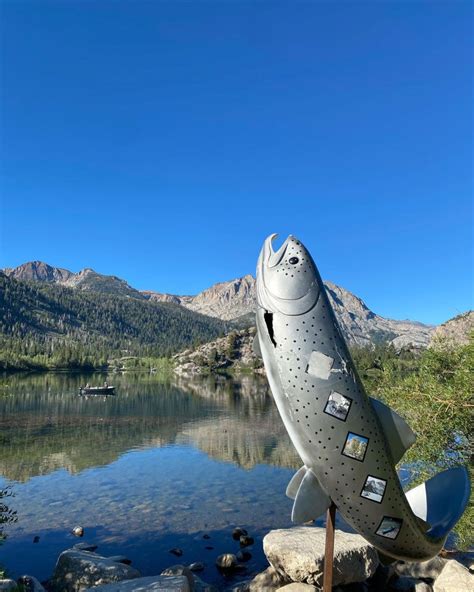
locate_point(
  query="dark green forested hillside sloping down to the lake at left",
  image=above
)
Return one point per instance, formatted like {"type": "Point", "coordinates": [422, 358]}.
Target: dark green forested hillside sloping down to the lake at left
{"type": "Point", "coordinates": [62, 326]}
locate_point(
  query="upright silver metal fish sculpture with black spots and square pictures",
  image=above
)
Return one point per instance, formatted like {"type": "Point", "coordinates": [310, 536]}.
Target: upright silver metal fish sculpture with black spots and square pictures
{"type": "Point", "coordinates": [349, 443]}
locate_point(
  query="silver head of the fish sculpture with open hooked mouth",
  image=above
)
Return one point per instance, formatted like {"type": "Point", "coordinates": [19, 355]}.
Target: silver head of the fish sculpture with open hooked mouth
{"type": "Point", "coordinates": [287, 279]}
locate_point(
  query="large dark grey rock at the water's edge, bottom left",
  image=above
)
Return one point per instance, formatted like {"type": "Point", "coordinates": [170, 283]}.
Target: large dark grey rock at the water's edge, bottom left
{"type": "Point", "coordinates": [78, 570]}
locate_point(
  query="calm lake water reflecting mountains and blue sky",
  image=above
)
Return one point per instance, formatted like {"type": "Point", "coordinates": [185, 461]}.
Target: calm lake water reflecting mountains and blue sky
{"type": "Point", "coordinates": [153, 467]}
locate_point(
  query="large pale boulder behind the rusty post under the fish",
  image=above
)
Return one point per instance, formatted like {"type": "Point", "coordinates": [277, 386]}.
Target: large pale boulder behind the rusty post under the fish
{"type": "Point", "coordinates": [298, 553]}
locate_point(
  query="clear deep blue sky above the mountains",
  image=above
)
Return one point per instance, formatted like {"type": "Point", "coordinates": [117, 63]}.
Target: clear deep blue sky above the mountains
{"type": "Point", "coordinates": [163, 141]}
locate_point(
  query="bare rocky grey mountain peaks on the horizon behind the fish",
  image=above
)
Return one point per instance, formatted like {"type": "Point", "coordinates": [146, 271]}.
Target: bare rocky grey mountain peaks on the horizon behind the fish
{"type": "Point", "coordinates": [235, 301]}
